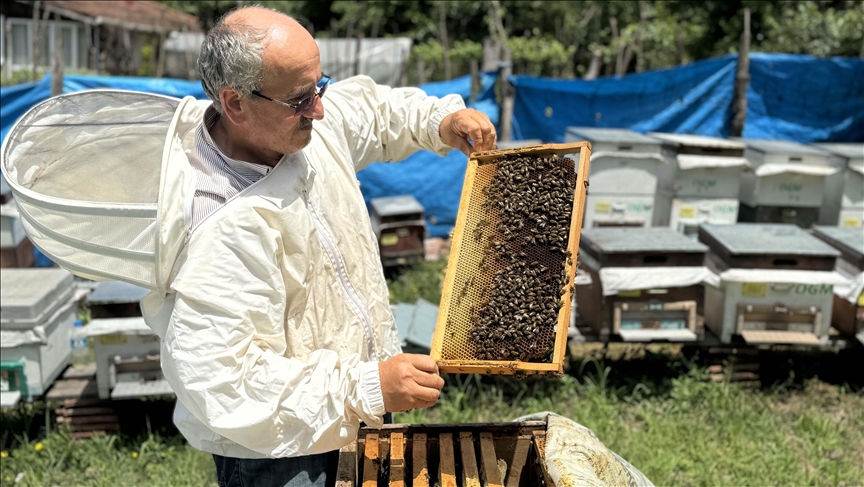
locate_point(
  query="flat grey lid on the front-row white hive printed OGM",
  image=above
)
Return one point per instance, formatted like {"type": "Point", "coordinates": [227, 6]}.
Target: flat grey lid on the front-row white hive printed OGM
{"type": "Point", "coordinates": [767, 239]}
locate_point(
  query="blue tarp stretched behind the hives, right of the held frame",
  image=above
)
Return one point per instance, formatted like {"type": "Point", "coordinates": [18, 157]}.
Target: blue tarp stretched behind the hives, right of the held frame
{"type": "Point", "coordinates": [790, 97]}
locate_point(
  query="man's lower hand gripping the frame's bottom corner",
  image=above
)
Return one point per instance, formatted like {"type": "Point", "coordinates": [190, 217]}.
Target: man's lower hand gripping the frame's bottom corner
{"type": "Point", "coordinates": [409, 381]}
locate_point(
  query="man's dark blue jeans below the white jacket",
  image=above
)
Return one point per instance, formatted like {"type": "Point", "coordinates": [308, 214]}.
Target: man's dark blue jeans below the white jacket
{"type": "Point", "coordinates": [311, 470]}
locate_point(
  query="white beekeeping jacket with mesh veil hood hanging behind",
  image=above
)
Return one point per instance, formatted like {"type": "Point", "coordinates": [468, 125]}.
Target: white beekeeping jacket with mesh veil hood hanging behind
{"type": "Point", "coordinates": [273, 312]}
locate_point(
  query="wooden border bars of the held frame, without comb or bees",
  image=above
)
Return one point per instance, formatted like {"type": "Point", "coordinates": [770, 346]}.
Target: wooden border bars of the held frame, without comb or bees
{"type": "Point", "coordinates": [512, 367]}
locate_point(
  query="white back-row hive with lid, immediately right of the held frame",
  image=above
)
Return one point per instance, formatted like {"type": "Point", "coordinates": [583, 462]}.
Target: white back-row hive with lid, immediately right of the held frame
{"type": "Point", "coordinates": [626, 168]}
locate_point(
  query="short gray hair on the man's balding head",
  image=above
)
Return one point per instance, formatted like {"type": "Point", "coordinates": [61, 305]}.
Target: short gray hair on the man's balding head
{"type": "Point", "coordinates": [232, 56]}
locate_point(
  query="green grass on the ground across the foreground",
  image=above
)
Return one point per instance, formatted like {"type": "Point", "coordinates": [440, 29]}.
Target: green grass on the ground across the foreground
{"type": "Point", "coordinates": [696, 433]}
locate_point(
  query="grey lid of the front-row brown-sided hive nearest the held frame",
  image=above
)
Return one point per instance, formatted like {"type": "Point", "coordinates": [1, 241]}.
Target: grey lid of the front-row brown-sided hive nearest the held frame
{"type": "Point", "coordinates": [632, 240]}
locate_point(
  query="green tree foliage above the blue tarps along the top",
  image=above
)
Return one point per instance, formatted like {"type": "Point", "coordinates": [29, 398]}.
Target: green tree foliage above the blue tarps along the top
{"type": "Point", "coordinates": [555, 38]}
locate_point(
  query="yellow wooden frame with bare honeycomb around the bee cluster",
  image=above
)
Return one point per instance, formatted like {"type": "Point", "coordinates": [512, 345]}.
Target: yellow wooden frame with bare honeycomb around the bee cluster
{"type": "Point", "coordinates": [453, 325]}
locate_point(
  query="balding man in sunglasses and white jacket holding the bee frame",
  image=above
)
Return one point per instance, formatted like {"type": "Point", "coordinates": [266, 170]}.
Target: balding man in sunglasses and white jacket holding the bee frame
{"type": "Point", "coordinates": [277, 334]}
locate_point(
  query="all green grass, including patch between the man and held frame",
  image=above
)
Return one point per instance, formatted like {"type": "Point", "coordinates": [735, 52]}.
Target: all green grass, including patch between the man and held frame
{"type": "Point", "coordinates": [651, 405]}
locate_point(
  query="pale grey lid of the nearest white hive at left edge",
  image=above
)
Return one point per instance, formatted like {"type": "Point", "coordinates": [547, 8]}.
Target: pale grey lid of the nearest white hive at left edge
{"type": "Point", "coordinates": [28, 295]}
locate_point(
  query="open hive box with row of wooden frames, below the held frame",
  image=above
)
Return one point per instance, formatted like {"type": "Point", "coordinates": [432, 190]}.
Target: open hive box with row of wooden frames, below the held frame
{"type": "Point", "coordinates": [468, 455]}
